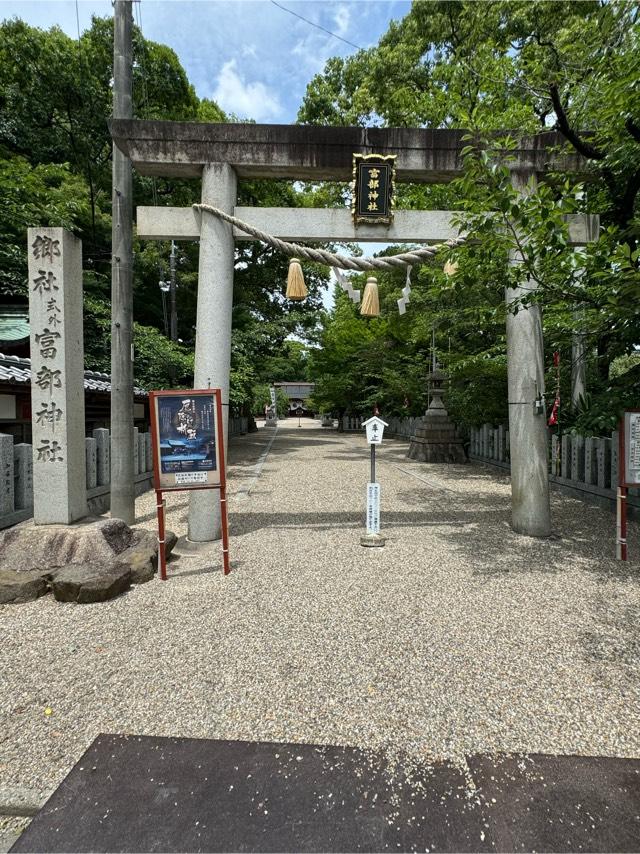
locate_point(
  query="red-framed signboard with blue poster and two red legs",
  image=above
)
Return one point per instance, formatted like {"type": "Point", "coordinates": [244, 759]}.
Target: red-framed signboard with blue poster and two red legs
{"type": "Point", "coordinates": [188, 452]}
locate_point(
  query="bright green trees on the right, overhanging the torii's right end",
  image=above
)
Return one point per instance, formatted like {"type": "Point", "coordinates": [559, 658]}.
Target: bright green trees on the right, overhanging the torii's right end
{"type": "Point", "coordinates": [524, 67]}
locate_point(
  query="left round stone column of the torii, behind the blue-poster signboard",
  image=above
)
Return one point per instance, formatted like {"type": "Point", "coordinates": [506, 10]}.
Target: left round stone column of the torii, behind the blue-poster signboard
{"type": "Point", "coordinates": [213, 324]}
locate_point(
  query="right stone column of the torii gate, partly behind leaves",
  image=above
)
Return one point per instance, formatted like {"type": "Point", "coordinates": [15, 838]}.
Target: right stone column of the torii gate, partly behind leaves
{"type": "Point", "coordinates": [530, 510]}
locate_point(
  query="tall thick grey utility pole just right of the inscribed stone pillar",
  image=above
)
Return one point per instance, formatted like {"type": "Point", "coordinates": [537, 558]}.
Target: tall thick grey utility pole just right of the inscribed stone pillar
{"type": "Point", "coordinates": [122, 474]}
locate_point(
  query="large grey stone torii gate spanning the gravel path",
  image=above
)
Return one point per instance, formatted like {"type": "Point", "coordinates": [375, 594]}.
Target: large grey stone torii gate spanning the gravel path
{"type": "Point", "coordinates": [220, 153]}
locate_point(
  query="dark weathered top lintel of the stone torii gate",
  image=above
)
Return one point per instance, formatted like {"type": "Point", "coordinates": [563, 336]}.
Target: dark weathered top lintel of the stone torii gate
{"type": "Point", "coordinates": [320, 153]}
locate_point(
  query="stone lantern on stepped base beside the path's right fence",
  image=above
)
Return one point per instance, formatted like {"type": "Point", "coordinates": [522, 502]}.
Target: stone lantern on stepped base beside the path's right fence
{"type": "Point", "coordinates": [435, 440]}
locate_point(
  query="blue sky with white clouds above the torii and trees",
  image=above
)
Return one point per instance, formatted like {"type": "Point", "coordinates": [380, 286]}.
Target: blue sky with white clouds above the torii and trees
{"type": "Point", "coordinates": [250, 56]}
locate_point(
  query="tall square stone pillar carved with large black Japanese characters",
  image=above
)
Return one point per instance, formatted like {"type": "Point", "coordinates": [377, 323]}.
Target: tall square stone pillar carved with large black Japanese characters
{"type": "Point", "coordinates": [57, 376]}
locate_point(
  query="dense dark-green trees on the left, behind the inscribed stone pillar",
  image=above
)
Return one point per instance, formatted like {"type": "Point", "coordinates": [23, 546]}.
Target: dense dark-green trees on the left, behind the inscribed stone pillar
{"type": "Point", "coordinates": [55, 169]}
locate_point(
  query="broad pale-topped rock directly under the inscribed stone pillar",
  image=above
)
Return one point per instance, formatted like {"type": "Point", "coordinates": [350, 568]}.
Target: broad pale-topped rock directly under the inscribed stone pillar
{"type": "Point", "coordinates": [27, 547]}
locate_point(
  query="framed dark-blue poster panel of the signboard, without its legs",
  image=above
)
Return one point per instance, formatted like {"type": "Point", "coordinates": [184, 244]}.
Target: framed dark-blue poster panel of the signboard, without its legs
{"type": "Point", "coordinates": [185, 436]}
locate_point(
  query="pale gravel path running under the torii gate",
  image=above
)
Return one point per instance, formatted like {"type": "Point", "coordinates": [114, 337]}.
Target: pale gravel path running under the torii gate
{"type": "Point", "coordinates": [458, 637]}
